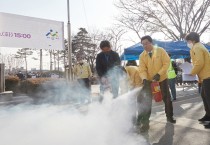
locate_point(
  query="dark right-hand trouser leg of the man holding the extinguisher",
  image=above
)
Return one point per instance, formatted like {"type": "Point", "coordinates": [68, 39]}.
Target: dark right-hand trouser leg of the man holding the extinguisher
{"type": "Point", "coordinates": [164, 87]}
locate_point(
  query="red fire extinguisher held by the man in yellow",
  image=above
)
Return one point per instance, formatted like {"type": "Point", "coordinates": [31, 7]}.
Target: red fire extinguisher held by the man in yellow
{"type": "Point", "coordinates": [156, 91]}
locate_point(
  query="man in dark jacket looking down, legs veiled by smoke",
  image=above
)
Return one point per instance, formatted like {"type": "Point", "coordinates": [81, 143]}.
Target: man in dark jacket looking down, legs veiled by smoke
{"type": "Point", "coordinates": [107, 67]}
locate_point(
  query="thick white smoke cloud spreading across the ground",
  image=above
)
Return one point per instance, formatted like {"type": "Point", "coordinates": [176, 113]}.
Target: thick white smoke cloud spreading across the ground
{"type": "Point", "coordinates": [106, 123]}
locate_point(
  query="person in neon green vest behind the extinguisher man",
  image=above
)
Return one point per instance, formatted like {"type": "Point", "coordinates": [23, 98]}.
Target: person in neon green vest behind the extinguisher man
{"type": "Point", "coordinates": [172, 79]}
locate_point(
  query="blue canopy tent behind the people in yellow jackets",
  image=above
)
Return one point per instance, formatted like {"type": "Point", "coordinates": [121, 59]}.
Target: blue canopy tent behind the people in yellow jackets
{"type": "Point", "coordinates": [177, 49]}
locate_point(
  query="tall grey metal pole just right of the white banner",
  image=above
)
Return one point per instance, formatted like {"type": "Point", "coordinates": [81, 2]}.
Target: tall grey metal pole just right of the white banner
{"type": "Point", "coordinates": [70, 76]}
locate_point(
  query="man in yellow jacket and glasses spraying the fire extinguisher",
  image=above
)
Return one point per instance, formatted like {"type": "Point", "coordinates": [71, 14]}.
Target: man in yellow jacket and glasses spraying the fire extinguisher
{"type": "Point", "coordinates": [153, 66]}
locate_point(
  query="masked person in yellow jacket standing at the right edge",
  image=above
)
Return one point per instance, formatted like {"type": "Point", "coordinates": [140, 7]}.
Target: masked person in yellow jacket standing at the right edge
{"type": "Point", "coordinates": [201, 66]}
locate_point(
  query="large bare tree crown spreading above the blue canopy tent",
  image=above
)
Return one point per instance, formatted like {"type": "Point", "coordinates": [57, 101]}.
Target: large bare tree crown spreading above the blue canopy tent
{"type": "Point", "coordinates": [174, 18]}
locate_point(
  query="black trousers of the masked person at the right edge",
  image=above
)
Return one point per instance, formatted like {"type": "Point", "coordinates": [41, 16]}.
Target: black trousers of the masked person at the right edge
{"type": "Point", "coordinates": [205, 94]}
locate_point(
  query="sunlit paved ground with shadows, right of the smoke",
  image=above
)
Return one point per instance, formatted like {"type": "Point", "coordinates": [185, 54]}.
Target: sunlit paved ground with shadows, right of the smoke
{"type": "Point", "coordinates": [187, 131]}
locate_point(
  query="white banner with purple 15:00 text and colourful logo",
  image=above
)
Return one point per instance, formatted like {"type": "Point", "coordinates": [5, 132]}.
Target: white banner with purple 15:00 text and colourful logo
{"type": "Point", "coordinates": [28, 32]}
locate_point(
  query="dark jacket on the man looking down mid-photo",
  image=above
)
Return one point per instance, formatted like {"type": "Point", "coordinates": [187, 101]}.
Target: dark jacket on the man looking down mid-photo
{"type": "Point", "coordinates": [105, 62]}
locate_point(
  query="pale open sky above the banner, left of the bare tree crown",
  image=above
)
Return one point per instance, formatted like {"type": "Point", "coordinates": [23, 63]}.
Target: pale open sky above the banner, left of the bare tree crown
{"type": "Point", "coordinates": [83, 13]}
